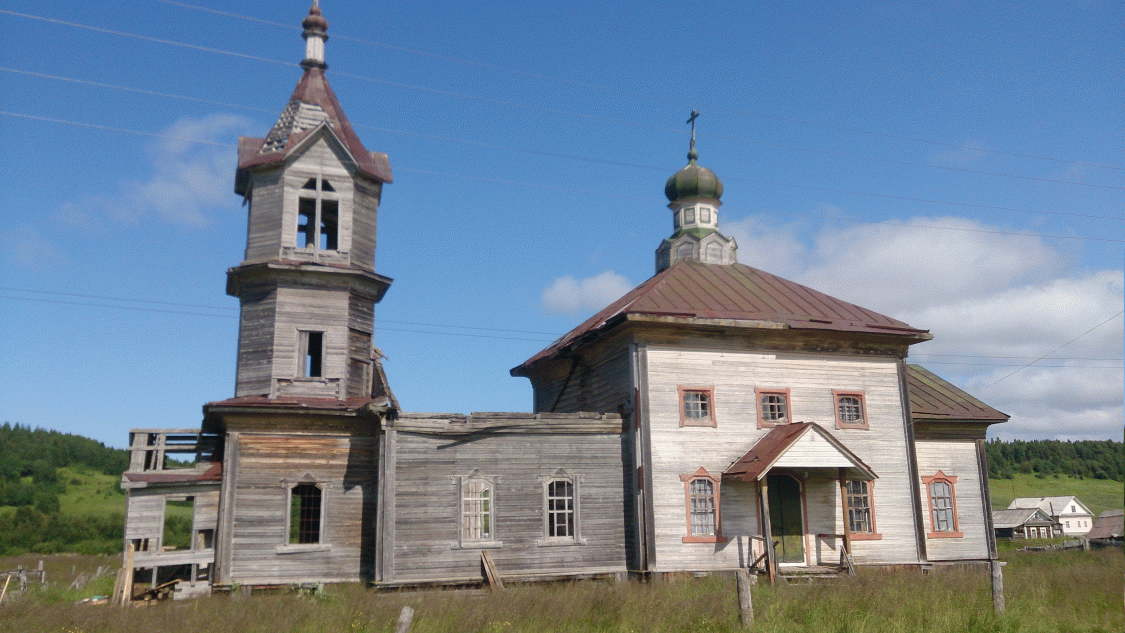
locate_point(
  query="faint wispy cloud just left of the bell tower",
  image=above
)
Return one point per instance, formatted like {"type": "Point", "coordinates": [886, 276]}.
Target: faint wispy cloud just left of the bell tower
{"type": "Point", "coordinates": [187, 182]}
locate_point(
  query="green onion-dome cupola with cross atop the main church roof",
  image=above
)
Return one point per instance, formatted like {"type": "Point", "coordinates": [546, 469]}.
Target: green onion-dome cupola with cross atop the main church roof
{"type": "Point", "coordinates": [694, 195]}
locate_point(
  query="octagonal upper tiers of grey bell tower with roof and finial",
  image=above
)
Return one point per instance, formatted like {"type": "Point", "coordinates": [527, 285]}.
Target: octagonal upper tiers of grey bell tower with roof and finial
{"type": "Point", "coordinates": [308, 285]}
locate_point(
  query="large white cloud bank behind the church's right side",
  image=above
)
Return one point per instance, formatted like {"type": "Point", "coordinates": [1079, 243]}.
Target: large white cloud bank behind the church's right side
{"type": "Point", "coordinates": [989, 299]}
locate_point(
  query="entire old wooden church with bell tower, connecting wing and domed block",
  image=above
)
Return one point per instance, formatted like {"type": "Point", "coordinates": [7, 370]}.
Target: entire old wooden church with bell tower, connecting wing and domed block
{"type": "Point", "coordinates": [716, 418]}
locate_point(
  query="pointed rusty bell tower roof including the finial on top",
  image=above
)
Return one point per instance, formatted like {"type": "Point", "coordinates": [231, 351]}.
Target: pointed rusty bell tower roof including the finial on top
{"type": "Point", "coordinates": [312, 106]}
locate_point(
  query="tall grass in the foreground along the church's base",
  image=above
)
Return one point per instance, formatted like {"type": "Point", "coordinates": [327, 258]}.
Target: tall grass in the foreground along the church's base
{"type": "Point", "coordinates": [1047, 592]}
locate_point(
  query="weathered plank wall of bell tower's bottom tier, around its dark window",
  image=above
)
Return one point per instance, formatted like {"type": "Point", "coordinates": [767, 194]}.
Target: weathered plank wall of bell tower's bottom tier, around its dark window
{"type": "Point", "coordinates": [268, 466]}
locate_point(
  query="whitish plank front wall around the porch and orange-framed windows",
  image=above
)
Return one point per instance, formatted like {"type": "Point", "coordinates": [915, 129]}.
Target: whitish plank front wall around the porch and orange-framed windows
{"type": "Point", "coordinates": [811, 379]}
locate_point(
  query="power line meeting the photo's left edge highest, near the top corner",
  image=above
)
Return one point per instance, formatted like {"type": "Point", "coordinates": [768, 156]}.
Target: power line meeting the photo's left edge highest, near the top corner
{"type": "Point", "coordinates": [564, 113]}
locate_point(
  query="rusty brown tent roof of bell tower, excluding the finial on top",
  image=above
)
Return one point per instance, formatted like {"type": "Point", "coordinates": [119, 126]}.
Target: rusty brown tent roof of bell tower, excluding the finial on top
{"type": "Point", "coordinates": [294, 126]}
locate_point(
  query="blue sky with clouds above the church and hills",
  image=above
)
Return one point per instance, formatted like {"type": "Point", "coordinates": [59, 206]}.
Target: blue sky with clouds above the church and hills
{"type": "Point", "coordinates": [957, 166]}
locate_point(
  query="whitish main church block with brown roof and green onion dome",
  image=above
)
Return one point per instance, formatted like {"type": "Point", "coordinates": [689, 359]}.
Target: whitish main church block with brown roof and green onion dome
{"type": "Point", "coordinates": [771, 421]}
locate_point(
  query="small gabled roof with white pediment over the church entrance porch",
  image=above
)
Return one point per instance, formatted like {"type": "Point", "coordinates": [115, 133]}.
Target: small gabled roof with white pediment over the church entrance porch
{"type": "Point", "coordinates": [804, 446]}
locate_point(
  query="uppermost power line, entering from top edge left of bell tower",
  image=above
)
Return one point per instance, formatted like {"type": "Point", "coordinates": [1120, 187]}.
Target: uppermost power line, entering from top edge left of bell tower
{"type": "Point", "coordinates": [642, 95]}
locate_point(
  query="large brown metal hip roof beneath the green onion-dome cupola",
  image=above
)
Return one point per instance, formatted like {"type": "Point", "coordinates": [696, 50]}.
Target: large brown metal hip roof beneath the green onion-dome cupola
{"type": "Point", "coordinates": [735, 293]}
